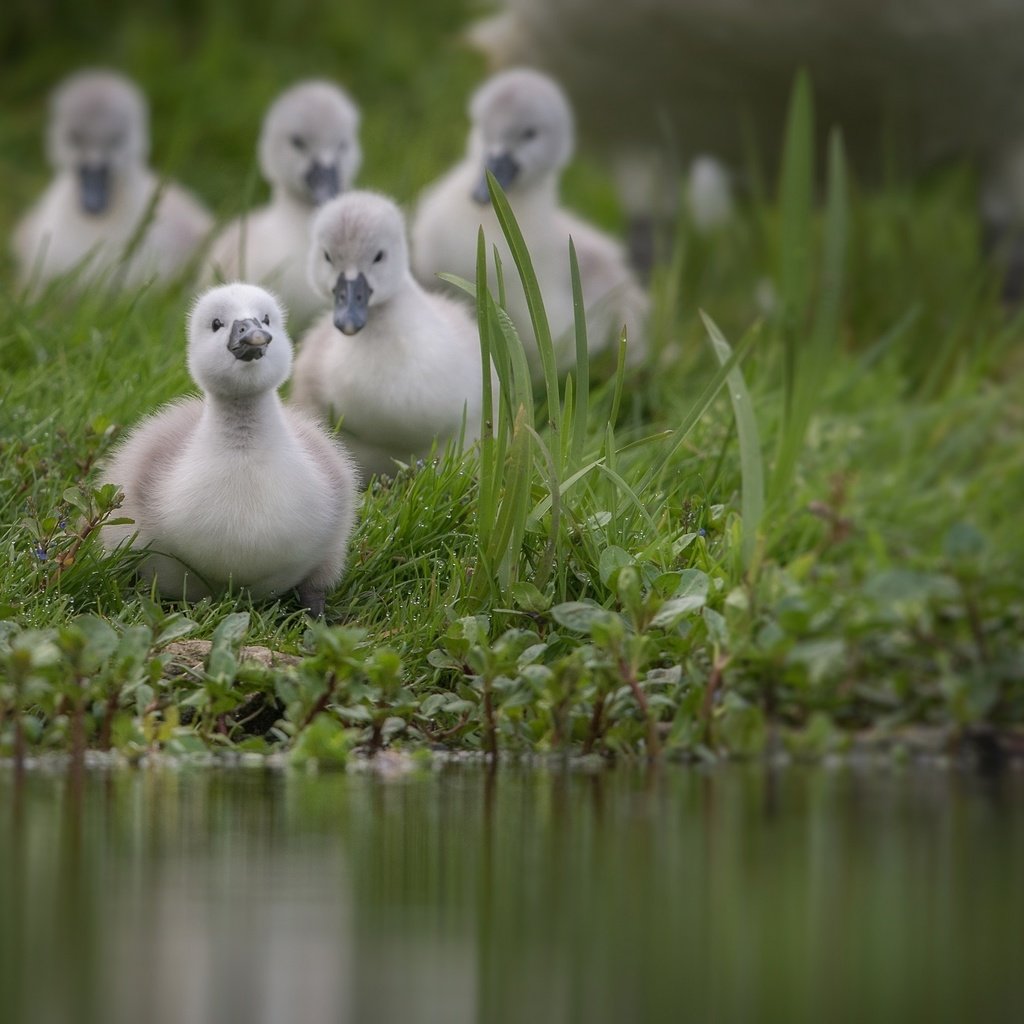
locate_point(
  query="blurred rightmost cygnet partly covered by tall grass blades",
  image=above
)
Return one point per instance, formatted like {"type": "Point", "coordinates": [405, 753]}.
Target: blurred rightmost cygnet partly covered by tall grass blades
{"type": "Point", "coordinates": [523, 133]}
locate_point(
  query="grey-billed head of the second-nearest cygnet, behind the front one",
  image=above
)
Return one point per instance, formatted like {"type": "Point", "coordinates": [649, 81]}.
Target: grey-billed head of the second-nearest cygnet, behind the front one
{"type": "Point", "coordinates": [359, 255]}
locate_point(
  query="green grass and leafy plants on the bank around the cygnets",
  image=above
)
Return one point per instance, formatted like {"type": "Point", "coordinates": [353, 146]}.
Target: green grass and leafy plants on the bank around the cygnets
{"type": "Point", "coordinates": [792, 539]}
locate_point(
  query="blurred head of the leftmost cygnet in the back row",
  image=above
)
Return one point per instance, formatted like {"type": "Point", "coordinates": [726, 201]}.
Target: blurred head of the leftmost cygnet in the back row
{"type": "Point", "coordinates": [99, 132]}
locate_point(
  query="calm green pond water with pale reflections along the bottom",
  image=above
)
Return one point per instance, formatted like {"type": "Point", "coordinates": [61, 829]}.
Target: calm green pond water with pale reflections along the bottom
{"type": "Point", "coordinates": [732, 894]}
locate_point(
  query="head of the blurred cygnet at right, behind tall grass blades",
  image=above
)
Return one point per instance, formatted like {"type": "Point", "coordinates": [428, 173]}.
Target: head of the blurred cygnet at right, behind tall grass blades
{"type": "Point", "coordinates": [523, 131]}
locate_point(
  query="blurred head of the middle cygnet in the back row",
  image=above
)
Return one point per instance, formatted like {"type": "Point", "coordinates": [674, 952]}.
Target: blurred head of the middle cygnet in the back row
{"type": "Point", "coordinates": [310, 145]}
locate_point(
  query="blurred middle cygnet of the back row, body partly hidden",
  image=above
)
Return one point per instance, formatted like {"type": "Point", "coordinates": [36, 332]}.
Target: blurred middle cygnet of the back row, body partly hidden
{"type": "Point", "coordinates": [309, 153]}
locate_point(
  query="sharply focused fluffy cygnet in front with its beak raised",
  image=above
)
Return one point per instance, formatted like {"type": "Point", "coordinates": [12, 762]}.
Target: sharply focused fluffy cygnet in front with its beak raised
{"type": "Point", "coordinates": [234, 489]}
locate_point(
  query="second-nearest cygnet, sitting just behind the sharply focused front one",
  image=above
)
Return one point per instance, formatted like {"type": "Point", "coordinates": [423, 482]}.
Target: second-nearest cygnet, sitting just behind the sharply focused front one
{"type": "Point", "coordinates": [399, 366]}
